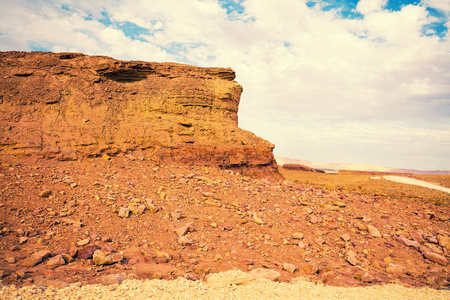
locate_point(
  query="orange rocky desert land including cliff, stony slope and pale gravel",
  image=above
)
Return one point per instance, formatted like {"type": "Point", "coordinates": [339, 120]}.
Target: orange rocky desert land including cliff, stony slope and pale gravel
{"type": "Point", "coordinates": [85, 200]}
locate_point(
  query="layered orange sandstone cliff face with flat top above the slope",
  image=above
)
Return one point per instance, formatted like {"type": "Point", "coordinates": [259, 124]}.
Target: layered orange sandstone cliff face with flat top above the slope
{"type": "Point", "coordinates": [70, 105]}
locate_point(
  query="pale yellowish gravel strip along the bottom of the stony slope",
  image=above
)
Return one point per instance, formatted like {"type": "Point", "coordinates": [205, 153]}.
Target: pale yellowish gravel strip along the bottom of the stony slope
{"type": "Point", "coordinates": [185, 289]}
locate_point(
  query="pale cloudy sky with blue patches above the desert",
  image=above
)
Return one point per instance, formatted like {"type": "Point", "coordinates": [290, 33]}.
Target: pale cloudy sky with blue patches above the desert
{"type": "Point", "coordinates": [329, 81]}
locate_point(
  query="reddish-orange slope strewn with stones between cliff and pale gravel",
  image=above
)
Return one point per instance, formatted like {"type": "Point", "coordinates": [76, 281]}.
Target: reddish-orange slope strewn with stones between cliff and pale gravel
{"type": "Point", "coordinates": [169, 221]}
